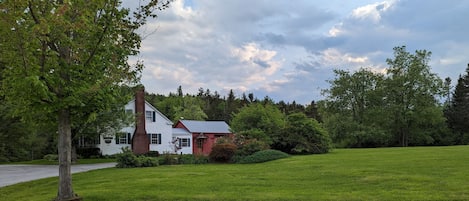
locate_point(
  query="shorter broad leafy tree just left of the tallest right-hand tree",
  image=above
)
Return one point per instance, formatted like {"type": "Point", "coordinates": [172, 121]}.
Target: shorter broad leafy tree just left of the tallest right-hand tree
{"type": "Point", "coordinates": [353, 108]}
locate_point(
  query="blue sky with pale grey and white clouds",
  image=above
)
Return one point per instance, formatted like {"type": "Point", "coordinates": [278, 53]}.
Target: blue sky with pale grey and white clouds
{"type": "Point", "coordinates": [287, 50]}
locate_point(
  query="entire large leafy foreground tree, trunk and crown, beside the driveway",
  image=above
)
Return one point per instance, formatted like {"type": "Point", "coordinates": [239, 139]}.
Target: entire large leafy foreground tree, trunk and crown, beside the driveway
{"type": "Point", "coordinates": [62, 55]}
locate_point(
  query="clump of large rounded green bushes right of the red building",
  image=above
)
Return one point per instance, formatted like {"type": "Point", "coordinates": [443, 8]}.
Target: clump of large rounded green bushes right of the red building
{"type": "Point", "coordinates": [294, 133]}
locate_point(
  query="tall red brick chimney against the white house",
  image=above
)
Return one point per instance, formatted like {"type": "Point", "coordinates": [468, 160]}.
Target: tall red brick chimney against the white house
{"type": "Point", "coordinates": [140, 141]}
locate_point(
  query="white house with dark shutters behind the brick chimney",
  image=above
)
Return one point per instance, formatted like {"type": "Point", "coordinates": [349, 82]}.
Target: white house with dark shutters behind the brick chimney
{"type": "Point", "coordinates": [162, 137]}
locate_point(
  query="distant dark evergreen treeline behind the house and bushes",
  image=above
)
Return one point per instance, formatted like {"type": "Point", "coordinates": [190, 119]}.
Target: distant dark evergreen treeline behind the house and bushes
{"type": "Point", "coordinates": [208, 105]}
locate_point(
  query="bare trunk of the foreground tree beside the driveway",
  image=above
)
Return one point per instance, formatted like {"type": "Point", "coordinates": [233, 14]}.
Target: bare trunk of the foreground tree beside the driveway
{"type": "Point", "coordinates": [65, 156]}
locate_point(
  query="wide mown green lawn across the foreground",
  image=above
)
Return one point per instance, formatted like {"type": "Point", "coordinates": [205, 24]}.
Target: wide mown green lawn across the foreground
{"type": "Point", "coordinates": [418, 173]}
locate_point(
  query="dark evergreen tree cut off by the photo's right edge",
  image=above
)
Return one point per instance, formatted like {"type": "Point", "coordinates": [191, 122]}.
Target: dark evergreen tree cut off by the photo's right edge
{"type": "Point", "coordinates": [457, 113]}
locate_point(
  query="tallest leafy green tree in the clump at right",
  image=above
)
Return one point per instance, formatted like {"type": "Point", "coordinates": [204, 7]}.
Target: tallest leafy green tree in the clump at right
{"type": "Point", "coordinates": [412, 93]}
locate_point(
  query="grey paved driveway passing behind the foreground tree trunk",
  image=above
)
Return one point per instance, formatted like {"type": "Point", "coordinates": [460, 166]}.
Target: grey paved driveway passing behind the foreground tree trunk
{"type": "Point", "coordinates": [13, 174]}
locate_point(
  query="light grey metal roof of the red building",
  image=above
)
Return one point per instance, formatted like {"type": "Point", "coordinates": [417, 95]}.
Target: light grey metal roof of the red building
{"type": "Point", "coordinates": [206, 126]}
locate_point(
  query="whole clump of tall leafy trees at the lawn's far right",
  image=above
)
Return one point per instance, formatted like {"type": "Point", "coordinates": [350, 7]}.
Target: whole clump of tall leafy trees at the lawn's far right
{"type": "Point", "coordinates": [367, 109]}
